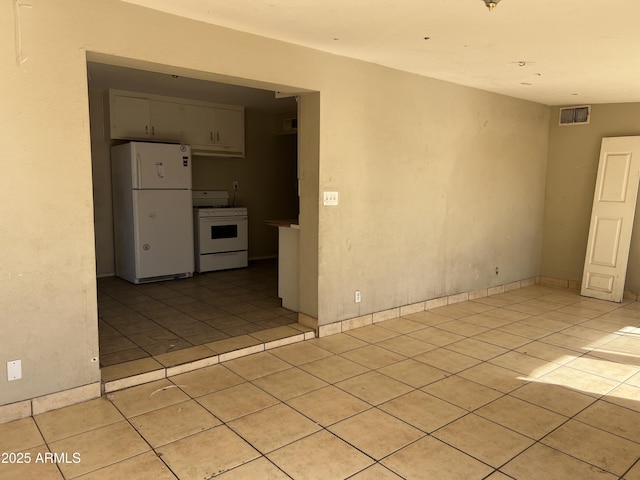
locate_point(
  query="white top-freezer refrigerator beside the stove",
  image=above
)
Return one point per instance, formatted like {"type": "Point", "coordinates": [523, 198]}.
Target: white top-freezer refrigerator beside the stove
{"type": "Point", "coordinates": [152, 211]}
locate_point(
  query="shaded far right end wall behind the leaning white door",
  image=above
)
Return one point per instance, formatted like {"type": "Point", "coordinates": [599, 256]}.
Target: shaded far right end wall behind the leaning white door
{"type": "Point", "coordinates": [571, 177]}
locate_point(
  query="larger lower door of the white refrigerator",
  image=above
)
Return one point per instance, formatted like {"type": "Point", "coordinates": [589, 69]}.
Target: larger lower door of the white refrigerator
{"type": "Point", "coordinates": [163, 236]}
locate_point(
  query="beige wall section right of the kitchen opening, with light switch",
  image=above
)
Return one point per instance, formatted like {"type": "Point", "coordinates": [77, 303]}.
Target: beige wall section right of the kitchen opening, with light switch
{"type": "Point", "coordinates": [440, 185]}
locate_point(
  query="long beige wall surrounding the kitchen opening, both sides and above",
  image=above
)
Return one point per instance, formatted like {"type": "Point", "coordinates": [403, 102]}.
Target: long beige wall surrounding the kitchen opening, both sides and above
{"type": "Point", "coordinates": [439, 184]}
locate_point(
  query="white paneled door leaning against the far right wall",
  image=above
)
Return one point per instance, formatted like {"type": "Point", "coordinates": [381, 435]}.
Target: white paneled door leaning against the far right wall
{"type": "Point", "coordinates": [614, 204]}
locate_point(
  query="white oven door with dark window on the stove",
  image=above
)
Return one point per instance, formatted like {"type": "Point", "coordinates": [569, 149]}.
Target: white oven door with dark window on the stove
{"type": "Point", "coordinates": [222, 234]}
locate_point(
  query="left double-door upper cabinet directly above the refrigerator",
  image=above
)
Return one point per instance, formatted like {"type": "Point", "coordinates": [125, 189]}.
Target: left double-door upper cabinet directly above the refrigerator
{"type": "Point", "coordinates": [139, 118]}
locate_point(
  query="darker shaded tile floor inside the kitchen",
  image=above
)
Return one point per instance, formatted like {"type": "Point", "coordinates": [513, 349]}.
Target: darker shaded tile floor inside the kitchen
{"type": "Point", "coordinates": [138, 321]}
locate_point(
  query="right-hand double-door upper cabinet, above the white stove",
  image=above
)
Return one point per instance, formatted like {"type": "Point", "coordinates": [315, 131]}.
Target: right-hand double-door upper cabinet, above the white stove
{"type": "Point", "coordinates": [215, 130]}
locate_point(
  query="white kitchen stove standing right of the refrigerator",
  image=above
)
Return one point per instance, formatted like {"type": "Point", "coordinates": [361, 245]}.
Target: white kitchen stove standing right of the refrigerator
{"type": "Point", "coordinates": [221, 232]}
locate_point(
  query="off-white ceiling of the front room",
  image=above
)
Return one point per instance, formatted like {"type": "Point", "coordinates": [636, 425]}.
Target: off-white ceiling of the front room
{"type": "Point", "coordinates": [555, 52]}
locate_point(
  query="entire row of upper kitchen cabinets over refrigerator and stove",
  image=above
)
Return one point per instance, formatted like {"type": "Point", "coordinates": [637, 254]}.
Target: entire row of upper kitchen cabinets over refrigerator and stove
{"type": "Point", "coordinates": [210, 128]}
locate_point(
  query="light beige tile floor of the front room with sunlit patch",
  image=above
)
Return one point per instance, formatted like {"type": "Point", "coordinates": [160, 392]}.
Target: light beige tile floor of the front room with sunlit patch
{"type": "Point", "coordinates": [534, 383]}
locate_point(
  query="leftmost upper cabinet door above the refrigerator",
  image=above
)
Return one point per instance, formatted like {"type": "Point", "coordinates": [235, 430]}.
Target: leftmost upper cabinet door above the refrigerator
{"type": "Point", "coordinates": [129, 117]}
